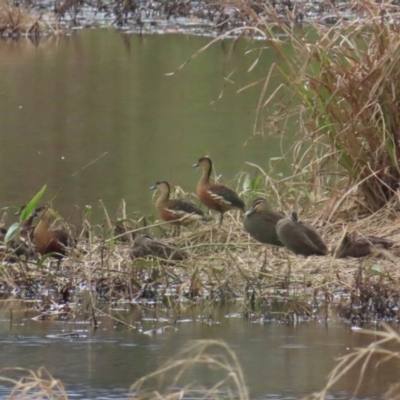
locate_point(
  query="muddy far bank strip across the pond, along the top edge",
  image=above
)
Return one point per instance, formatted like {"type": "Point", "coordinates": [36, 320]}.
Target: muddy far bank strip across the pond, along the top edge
{"type": "Point", "coordinates": [36, 18]}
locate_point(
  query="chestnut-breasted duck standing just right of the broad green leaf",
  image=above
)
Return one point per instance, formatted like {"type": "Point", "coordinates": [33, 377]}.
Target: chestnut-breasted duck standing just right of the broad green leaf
{"type": "Point", "coordinates": [48, 238]}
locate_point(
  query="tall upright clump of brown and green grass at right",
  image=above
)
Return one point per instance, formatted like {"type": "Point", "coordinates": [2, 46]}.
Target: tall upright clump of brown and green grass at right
{"type": "Point", "coordinates": [340, 85]}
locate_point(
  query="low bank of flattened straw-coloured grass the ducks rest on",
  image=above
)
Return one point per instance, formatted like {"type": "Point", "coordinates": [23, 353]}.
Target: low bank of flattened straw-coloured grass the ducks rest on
{"type": "Point", "coordinates": [223, 264]}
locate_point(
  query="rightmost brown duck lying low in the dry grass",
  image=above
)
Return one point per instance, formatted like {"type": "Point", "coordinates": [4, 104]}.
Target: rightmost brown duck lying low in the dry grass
{"type": "Point", "coordinates": [359, 246]}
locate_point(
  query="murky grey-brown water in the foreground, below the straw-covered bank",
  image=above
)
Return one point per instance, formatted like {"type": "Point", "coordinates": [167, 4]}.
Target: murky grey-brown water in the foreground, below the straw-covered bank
{"type": "Point", "coordinates": [279, 361]}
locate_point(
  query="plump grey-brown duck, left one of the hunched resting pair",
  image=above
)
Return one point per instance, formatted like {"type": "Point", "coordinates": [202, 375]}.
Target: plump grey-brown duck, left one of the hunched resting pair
{"type": "Point", "coordinates": [260, 222]}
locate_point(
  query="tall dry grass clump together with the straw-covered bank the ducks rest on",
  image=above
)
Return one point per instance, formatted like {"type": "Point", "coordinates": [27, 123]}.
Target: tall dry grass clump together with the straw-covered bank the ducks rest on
{"type": "Point", "coordinates": [345, 144]}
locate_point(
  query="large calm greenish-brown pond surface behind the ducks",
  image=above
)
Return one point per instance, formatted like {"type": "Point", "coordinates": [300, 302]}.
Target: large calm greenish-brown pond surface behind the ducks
{"type": "Point", "coordinates": [72, 99]}
